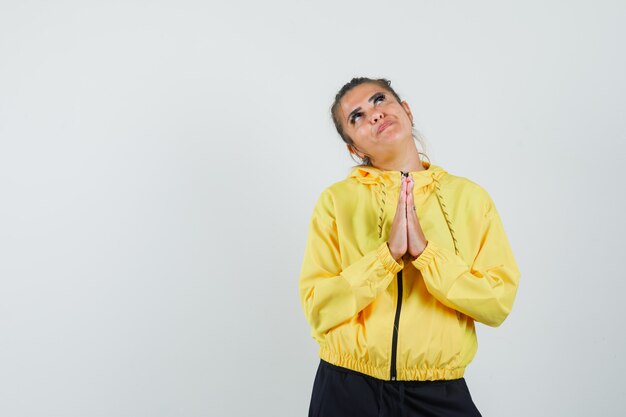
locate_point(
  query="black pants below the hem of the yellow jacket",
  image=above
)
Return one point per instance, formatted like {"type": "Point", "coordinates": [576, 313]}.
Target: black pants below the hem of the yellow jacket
{"type": "Point", "coordinates": [341, 392]}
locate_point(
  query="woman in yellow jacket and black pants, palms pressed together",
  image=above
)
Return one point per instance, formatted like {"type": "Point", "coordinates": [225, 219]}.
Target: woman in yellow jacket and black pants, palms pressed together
{"type": "Point", "coordinates": [401, 259]}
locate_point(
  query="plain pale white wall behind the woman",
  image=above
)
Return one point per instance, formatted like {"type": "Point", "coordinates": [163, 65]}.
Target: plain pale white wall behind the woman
{"type": "Point", "coordinates": [159, 162]}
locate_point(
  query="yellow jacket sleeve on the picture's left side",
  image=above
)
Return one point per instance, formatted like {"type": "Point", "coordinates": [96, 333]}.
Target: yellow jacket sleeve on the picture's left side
{"type": "Point", "coordinates": [329, 294]}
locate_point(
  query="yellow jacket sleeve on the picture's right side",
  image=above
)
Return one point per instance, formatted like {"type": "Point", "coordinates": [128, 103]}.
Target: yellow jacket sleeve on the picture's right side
{"type": "Point", "coordinates": [486, 290]}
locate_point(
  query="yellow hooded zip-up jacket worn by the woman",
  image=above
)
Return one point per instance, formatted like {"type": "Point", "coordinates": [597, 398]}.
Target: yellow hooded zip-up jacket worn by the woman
{"type": "Point", "coordinates": [405, 320]}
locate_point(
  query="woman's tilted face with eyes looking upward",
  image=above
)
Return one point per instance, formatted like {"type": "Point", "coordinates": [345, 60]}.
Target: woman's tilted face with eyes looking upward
{"type": "Point", "coordinates": [375, 121]}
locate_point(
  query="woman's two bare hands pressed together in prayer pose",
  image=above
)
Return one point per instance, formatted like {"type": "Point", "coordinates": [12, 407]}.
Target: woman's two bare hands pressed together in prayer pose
{"type": "Point", "coordinates": [406, 237]}
